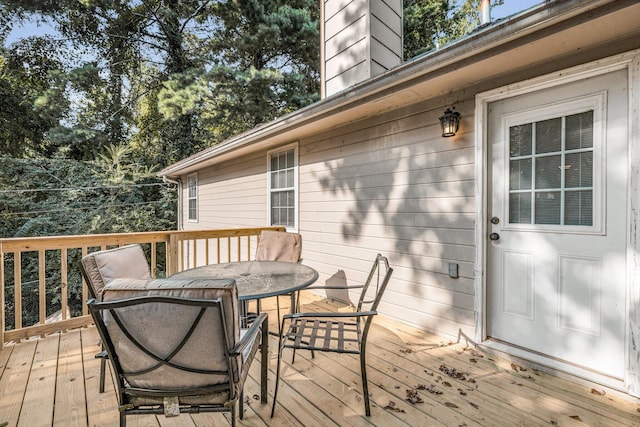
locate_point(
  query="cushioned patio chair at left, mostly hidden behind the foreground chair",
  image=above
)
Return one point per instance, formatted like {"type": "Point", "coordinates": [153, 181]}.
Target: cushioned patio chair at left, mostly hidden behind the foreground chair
{"type": "Point", "coordinates": [101, 267]}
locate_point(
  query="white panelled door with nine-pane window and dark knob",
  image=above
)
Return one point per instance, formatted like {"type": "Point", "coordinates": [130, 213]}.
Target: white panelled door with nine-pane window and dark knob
{"type": "Point", "coordinates": [556, 255]}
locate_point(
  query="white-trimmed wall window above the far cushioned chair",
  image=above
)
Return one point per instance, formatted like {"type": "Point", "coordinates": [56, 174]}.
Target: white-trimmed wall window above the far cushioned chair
{"type": "Point", "coordinates": [283, 187]}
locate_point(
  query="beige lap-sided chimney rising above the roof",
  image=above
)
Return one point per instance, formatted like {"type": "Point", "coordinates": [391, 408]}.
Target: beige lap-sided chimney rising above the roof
{"type": "Point", "coordinates": [360, 39]}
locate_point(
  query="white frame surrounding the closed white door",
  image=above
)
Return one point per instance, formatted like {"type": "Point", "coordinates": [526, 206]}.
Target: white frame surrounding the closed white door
{"type": "Point", "coordinates": [631, 62]}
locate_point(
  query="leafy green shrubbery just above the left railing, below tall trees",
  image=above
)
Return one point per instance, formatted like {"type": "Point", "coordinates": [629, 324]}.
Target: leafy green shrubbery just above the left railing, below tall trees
{"type": "Point", "coordinates": [62, 197]}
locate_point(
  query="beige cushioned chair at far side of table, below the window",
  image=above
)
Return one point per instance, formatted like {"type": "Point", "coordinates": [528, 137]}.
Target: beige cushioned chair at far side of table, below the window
{"type": "Point", "coordinates": [279, 246]}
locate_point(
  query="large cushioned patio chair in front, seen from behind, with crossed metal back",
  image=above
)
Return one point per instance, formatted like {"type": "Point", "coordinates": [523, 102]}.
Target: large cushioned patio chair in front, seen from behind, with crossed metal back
{"type": "Point", "coordinates": [176, 346]}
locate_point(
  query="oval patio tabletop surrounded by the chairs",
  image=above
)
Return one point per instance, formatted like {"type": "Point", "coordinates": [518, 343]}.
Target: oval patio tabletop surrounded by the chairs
{"type": "Point", "coordinates": [258, 279]}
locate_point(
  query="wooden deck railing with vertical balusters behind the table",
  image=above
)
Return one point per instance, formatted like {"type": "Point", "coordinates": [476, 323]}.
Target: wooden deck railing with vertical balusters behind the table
{"type": "Point", "coordinates": [42, 288]}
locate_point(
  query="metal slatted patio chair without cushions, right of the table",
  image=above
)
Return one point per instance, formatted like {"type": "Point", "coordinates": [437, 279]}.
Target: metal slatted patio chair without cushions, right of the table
{"type": "Point", "coordinates": [337, 332]}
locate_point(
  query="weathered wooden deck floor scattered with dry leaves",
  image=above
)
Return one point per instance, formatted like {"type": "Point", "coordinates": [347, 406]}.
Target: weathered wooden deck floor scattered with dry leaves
{"type": "Point", "coordinates": [54, 381]}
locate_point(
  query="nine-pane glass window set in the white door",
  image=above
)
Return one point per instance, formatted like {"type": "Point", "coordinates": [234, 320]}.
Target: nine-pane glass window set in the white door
{"type": "Point", "coordinates": [551, 171]}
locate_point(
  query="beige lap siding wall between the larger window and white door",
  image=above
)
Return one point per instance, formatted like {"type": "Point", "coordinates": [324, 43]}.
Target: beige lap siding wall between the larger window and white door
{"type": "Point", "coordinates": [393, 185]}
